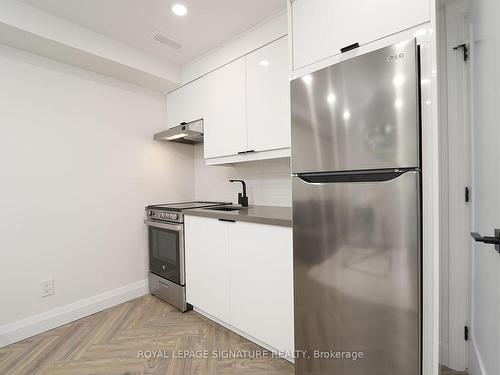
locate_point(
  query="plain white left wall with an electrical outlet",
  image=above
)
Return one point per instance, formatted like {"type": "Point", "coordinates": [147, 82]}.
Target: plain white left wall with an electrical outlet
{"type": "Point", "coordinates": [77, 165]}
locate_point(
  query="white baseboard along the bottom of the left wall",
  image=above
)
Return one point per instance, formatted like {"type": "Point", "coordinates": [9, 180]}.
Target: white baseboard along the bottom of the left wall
{"type": "Point", "coordinates": [45, 321]}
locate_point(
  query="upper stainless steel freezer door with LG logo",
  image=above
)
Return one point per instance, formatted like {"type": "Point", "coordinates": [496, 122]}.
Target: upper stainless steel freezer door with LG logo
{"type": "Point", "coordinates": [359, 114]}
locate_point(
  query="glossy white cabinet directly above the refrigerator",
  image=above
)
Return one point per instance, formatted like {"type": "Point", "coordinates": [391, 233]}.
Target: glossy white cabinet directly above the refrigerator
{"type": "Point", "coordinates": [322, 27]}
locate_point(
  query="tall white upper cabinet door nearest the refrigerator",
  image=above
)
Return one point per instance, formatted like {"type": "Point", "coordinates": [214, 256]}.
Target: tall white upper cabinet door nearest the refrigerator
{"type": "Point", "coordinates": [268, 97]}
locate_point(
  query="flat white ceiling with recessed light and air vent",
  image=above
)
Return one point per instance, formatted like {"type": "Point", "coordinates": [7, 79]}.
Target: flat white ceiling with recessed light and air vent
{"type": "Point", "coordinates": [208, 23]}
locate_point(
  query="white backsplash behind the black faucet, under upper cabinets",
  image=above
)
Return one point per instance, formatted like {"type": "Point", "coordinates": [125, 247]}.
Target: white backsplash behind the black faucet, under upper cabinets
{"type": "Point", "coordinates": [268, 181]}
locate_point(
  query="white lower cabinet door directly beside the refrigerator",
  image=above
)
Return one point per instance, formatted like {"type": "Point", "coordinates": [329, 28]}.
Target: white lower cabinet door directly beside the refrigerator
{"type": "Point", "coordinates": [261, 282]}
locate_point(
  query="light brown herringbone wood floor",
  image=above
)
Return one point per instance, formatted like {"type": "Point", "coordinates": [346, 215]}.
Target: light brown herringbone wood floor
{"type": "Point", "coordinates": [109, 343]}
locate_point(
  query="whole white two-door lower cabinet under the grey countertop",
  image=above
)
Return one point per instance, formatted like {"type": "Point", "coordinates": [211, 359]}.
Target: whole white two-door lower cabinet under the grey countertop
{"type": "Point", "coordinates": [242, 274]}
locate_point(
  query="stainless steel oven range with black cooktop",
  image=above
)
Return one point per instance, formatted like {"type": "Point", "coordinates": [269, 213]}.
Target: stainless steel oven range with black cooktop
{"type": "Point", "coordinates": [167, 278]}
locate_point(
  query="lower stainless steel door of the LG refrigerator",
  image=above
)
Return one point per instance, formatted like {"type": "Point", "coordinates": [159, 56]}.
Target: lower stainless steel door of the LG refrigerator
{"type": "Point", "coordinates": [357, 276]}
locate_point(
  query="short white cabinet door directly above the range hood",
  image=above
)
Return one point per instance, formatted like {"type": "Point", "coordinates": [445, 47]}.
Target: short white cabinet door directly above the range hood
{"type": "Point", "coordinates": [186, 103]}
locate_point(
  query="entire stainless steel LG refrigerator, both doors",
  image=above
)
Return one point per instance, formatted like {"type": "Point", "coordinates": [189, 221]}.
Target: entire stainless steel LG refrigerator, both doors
{"type": "Point", "coordinates": [356, 215]}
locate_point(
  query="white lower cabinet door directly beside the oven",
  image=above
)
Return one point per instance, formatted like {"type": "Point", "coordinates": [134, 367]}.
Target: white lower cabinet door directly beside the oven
{"type": "Point", "coordinates": [207, 265]}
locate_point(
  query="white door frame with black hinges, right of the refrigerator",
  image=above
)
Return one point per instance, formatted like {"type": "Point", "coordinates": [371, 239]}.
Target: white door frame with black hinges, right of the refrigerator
{"type": "Point", "coordinates": [455, 177]}
